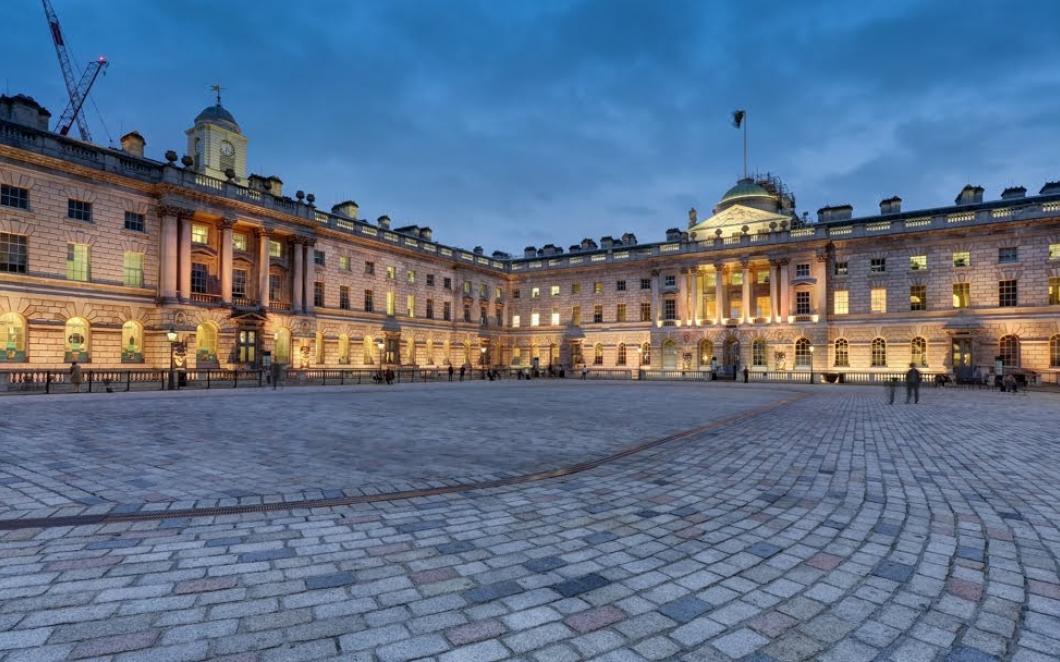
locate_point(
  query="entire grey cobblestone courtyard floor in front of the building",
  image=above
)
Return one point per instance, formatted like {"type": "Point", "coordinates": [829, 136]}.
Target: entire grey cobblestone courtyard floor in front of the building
{"type": "Point", "coordinates": [778, 524]}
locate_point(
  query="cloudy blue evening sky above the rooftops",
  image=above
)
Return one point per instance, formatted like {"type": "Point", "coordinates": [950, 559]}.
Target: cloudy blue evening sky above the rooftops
{"type": "Point", "coordinates": [506, 123]}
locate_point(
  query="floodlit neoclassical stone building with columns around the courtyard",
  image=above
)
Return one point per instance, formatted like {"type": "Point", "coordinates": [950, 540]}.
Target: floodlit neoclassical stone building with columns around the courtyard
{"type": "Point", "coordinates": [104, 252]}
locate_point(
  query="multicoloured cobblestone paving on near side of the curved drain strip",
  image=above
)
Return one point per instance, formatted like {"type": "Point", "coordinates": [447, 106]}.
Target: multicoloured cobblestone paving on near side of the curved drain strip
{"type": "Point", "coordinates": [835, 528]}
